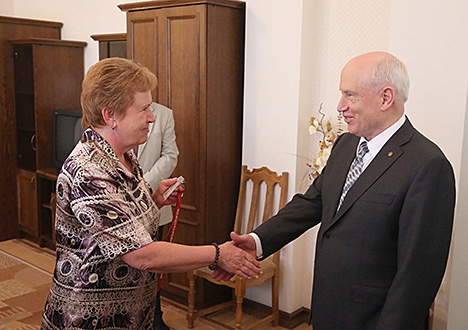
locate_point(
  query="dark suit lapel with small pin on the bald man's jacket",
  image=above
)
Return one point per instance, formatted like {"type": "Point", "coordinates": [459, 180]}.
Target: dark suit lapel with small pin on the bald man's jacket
{"type": "Point", "coordinates": [389, 153]}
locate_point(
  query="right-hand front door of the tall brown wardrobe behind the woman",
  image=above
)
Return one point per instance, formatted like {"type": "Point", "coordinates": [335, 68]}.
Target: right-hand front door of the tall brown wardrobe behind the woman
{"type": "Point", "coordinates": [183, 89]}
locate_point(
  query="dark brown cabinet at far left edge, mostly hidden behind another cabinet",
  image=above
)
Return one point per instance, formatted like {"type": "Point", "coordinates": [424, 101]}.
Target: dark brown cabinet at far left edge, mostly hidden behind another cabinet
{"type": "Point", "coordinates": [13, 28]}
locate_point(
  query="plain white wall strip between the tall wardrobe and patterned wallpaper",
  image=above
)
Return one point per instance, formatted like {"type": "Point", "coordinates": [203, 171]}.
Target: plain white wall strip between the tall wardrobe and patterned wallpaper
{"type": "Point", "coordinates": [272, 77]}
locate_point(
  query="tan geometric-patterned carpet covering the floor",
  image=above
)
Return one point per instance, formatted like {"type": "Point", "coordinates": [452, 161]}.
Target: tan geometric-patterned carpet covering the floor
{"type": "Point", "coordinates": [25, 276]}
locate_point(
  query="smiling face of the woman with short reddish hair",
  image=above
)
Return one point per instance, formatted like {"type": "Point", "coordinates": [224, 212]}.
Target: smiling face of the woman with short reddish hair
{"type": "Point", "coordinates": [133, 127]}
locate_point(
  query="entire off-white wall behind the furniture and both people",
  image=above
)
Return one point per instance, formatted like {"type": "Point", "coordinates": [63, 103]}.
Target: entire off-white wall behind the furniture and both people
{"type": "Point", "coordinates": [295, 50]}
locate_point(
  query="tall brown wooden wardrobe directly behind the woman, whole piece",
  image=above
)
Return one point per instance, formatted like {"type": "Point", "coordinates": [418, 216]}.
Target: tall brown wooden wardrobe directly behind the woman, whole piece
{"type": "Point", "coordinates": [196, 49]}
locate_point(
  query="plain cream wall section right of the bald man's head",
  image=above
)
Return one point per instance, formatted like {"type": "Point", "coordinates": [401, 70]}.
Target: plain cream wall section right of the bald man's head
{"type": "Point", "coordinates": [431, 37]}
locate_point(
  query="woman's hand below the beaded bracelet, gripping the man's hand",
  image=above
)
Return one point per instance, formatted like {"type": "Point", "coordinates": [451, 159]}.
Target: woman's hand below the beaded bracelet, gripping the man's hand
{"type": "Point", "coordinates": [236, 261]}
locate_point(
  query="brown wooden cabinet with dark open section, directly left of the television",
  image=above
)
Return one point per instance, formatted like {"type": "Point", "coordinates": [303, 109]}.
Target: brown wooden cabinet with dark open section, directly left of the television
{"type": "Point", "coordinates": [47, 76]}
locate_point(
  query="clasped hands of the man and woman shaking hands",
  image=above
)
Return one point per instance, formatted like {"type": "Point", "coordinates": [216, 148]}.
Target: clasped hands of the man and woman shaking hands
{"type": "Point", "coordinates": [237, 257]}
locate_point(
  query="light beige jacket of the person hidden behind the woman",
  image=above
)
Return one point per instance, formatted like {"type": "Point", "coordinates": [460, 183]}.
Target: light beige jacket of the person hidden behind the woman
{"type": "Point", "coordinates": [158, 155]}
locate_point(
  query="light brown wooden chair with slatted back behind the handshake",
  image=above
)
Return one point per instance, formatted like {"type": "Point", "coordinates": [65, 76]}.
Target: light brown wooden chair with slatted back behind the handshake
{"type": "Point", "coordinates": [260, 197]}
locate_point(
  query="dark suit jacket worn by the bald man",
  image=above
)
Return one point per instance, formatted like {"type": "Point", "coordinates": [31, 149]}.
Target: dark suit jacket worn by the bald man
{"type": "Point", "coordinates": [380, 259]}
